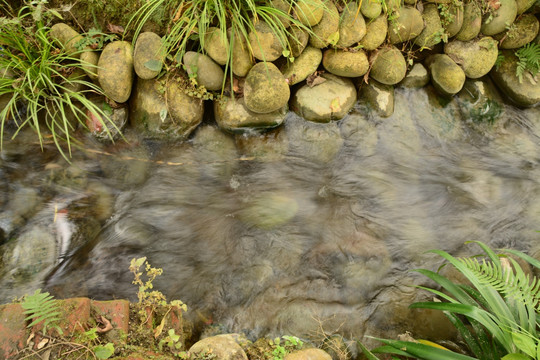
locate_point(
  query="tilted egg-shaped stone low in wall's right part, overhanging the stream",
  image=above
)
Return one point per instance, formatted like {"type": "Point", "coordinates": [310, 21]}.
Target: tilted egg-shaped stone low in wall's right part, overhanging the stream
{"type": "Point", "coordinates": [447, 77]}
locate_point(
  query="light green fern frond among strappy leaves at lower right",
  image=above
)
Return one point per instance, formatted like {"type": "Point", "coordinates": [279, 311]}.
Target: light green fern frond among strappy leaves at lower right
{"type": "Point", "coordinates": [511, 284]}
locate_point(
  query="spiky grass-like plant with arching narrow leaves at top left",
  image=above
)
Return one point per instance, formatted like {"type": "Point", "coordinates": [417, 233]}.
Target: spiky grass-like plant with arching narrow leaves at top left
{"type": "Point", "coordinates": [37, 81]}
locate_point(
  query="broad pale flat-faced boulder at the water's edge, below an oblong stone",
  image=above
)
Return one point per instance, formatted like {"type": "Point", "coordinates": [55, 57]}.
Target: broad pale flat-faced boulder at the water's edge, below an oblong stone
{"type": "Point", "coordinates": [330, 100]}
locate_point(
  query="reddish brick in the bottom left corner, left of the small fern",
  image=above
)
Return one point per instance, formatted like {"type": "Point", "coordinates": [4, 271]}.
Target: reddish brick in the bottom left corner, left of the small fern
{"type": "Point", "coordinates": [12, 330]}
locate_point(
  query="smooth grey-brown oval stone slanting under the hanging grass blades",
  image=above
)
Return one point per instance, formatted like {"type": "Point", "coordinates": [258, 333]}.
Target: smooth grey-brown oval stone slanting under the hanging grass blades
{"type": "Point", "coordinates": [204, 70]}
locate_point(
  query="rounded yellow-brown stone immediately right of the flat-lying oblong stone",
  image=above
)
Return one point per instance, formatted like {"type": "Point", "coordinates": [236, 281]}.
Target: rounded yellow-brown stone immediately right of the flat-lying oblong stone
{"type": "Point", "coordinates": [388, 66]}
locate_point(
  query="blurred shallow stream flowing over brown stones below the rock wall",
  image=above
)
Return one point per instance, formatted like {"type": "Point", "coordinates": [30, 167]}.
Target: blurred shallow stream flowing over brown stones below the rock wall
{"type": "Point", "coordinates": [309, 229]}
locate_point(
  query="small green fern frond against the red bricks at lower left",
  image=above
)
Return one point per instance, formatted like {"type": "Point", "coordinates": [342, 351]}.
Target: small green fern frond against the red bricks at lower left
{"type": "Point", "coordinates": [42, 307]}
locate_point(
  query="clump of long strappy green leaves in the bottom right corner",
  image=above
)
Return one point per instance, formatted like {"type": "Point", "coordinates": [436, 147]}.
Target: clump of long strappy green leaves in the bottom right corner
{"type": "Point", "coordinates": [496, 313]}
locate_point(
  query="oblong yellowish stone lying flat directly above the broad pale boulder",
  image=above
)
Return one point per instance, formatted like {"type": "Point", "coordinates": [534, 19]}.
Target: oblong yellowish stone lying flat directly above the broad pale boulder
{"type": "Point", "coordinates": [346, 63]}
